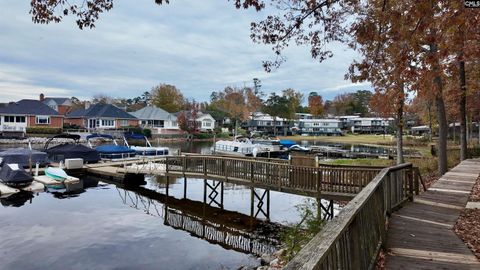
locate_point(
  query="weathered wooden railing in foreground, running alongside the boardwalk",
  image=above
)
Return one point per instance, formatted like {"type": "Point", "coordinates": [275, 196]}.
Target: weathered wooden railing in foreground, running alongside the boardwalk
{"type": "Point", "coordinates": [353, 239]}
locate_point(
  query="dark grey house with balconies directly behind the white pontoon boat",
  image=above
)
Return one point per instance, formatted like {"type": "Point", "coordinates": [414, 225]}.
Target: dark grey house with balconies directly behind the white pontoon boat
{"type": "Point", "coordinates": [264, 123]}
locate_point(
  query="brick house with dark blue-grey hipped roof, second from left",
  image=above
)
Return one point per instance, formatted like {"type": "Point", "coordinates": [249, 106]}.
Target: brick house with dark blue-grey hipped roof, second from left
{"type": "Point", "coordinates": [101, 116]}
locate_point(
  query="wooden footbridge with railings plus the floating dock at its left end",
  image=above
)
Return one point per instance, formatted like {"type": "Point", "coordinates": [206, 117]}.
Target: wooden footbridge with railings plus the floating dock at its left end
{"type": "Point", "coordinates": [337, 183]}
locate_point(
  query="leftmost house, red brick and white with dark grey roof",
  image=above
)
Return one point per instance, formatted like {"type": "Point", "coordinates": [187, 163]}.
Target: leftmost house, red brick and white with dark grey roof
{"type": "Point", "coordinates": [17, 116]}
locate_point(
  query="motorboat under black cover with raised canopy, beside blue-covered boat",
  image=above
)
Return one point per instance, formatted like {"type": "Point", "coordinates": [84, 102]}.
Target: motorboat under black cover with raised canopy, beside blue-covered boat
{"type": "Point", "coordinates": [69, 150]}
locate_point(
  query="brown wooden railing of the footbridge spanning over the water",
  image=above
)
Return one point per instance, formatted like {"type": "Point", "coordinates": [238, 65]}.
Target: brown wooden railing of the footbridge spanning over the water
{"type": "Point", "coordinates": [275, 176]}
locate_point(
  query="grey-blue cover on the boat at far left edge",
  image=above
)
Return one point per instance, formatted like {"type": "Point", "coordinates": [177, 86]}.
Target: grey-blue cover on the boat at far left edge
{"type": "Point", "coordinates": [21, 156]}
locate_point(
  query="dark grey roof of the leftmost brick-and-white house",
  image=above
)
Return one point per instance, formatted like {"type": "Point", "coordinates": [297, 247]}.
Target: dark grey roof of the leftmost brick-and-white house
{"type": "Point", "coordinates": [28, 107]}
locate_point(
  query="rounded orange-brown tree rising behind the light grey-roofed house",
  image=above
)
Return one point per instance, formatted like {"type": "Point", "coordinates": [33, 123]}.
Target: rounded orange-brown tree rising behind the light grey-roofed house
{"type": "Point", "coordinates": [167, 97]}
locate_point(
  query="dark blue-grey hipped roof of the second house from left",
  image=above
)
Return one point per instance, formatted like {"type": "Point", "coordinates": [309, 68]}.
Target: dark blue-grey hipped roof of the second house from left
{"type": "Point", "coordinates": [101, 110]}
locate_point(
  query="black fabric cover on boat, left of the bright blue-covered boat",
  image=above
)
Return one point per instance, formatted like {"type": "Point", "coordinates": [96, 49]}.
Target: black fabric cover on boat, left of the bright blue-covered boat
{"type": "Point", "coordinates": [66, 151]}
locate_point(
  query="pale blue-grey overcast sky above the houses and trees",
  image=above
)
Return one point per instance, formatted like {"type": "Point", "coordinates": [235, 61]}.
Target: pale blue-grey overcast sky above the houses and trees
{"type": "Point", "coordinates": [198, 46]}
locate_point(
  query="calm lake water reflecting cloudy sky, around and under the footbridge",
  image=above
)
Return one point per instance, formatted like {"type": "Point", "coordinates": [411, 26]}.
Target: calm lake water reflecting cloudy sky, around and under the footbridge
{"type": "Point", "coordinates": [106, 226]}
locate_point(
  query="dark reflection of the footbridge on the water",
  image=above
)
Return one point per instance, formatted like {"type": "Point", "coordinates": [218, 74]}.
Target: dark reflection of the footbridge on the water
{"type": "Point", "coordinates": [228, 229]}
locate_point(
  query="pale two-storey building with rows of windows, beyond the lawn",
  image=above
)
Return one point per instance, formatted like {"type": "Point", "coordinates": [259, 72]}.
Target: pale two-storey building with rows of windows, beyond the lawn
{"type": "Point", "coordinates": [320, 126]}
